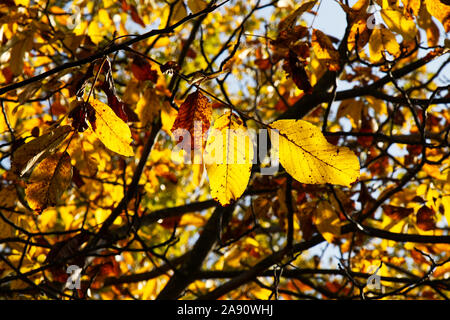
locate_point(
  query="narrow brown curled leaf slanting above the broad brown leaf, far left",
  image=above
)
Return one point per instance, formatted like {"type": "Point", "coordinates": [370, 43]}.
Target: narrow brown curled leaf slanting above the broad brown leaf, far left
{"type": "Point", "coordinates": [31, 153]}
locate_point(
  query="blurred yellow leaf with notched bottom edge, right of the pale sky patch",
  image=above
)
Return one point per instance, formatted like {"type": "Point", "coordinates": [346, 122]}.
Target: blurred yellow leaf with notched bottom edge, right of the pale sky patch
{"type": "Point", "coordinates": [381, 41]}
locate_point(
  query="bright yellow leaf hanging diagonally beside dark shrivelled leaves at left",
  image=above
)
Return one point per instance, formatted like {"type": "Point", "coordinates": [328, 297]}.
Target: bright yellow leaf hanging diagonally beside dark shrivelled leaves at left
{"type": "Point", "coordinates": [111, 130]}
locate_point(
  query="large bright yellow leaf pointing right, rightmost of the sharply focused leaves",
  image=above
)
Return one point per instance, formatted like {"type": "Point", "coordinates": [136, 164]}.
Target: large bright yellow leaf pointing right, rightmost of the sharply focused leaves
{"type": "Point", "coordinates": [309, 158]}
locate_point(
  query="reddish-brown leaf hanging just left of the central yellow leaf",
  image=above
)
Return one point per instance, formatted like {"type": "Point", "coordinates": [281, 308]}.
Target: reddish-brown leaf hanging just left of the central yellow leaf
{"type": "Point", "coordinates": [194, 116]}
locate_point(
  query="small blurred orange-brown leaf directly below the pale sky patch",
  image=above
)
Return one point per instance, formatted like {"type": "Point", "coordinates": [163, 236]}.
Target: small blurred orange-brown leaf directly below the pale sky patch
{"type": "Point", "coordinates": [324, 50]}
